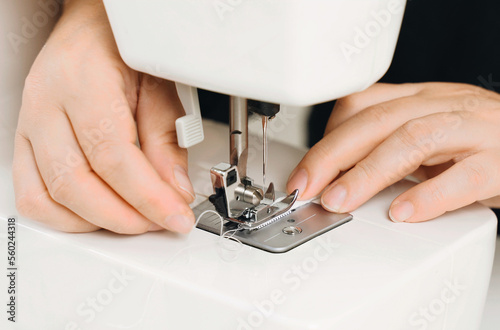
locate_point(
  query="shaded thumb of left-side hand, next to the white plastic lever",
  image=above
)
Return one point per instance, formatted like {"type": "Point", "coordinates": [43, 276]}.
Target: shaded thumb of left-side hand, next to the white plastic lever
{"type": "Point", "coordinates": [157, 111]}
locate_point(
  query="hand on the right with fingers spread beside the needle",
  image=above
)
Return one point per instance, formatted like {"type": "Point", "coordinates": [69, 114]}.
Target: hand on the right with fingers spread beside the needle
{"type": "Point", "coordinates": [446, 134]}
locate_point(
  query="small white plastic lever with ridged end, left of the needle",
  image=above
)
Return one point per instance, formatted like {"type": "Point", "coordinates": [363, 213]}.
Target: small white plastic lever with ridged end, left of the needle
{"type": "Point", "coordinates": [189, 127]}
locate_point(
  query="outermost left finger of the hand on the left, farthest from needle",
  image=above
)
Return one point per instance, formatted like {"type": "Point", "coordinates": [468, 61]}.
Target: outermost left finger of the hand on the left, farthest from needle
{"type": "Point", "coordinates": [33, 200]}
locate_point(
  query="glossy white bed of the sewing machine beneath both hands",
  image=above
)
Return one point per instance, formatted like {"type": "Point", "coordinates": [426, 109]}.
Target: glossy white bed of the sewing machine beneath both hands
{"type": "Point", "coordinates": [369, 273]}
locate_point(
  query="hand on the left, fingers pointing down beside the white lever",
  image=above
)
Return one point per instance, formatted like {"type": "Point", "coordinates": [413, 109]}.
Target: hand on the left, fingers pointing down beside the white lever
{"type": "Point", "coordinates": [76, 166]}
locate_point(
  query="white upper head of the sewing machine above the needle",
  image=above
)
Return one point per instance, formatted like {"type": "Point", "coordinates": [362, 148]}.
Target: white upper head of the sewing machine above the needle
{"type": "Point", "coordinates": [293, 52]}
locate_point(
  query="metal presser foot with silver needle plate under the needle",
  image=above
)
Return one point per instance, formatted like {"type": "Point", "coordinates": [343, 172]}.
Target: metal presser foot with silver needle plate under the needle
{"type": "Point", "coordinates": [262, 220]}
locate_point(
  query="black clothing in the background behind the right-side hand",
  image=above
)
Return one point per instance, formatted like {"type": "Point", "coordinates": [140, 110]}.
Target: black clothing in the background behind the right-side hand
{"type": "Point", "coordinates": [443, 41]}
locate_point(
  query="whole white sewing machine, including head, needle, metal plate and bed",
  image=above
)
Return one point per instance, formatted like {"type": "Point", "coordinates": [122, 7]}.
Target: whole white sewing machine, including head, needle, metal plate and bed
{"type": "Point", "coordinates": [358, 271]}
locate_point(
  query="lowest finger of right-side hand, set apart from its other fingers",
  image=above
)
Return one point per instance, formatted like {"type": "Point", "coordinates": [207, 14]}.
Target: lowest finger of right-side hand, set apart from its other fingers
{"type": "Point", "coordinates": [474, 178]}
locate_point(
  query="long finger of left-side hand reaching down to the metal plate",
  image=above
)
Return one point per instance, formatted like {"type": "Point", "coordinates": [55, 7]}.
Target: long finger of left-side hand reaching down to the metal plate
{"type": "Point", "coordinates": [106, 130]}
